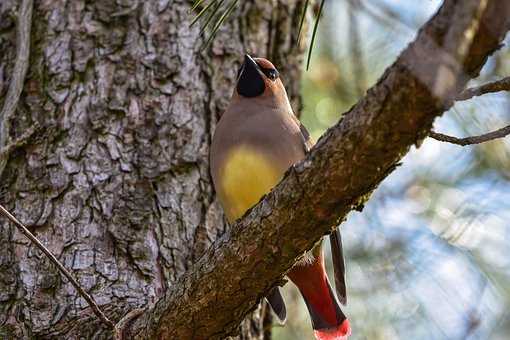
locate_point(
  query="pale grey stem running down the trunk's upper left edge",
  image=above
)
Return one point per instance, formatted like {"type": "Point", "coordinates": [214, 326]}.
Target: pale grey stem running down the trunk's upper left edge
{"type": "Point", "coordinates": [19, 72]}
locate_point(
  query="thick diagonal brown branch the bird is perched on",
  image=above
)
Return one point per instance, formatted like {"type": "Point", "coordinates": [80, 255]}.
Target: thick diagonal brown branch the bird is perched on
{"type": "Point", "coordinates": [339, 174]}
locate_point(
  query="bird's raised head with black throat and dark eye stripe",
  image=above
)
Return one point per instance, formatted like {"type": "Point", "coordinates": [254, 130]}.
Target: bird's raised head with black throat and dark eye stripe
{"type": "Point", "coordinates": [258, 78]}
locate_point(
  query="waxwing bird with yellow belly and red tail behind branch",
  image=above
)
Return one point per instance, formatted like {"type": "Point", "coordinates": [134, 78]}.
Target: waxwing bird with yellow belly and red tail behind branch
{"type": "Point", "coordinates": [257, 138]}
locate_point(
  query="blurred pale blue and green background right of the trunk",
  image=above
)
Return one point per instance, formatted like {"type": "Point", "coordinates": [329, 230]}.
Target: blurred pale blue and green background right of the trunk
{"type": "Point", "coordinates": [429, 256]}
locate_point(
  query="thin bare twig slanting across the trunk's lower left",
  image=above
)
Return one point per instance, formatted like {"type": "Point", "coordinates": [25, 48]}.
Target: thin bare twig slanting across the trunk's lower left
{"type": "Point", "coordinates": [90, 300]}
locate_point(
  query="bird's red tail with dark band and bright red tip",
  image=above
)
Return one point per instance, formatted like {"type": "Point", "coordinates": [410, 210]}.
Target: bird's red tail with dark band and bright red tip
{"type": "Point", "coordinates": [328, 320]}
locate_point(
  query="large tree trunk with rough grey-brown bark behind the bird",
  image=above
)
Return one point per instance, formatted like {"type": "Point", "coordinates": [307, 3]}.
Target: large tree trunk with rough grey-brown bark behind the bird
{"type": "Point", "coordinates": [116, 181]}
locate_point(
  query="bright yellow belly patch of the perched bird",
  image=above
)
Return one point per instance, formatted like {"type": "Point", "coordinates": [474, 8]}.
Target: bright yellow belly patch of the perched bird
{"type": "Point", "coordinates": [246, 176]}
